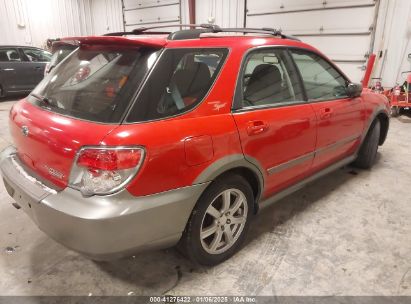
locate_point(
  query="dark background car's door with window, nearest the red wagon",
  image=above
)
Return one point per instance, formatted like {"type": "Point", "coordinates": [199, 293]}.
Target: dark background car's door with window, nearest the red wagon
{"type": "Point", "coordinates": [35, 63]}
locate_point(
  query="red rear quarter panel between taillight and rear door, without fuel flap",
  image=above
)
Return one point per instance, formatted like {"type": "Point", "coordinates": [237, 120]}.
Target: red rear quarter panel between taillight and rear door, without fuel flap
{"type": "Point", "coordinates": [165, 166]}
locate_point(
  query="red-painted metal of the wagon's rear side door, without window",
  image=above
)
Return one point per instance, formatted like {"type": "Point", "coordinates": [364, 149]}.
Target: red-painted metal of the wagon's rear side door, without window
{"type": "Point", "coordinates": [291, 133]}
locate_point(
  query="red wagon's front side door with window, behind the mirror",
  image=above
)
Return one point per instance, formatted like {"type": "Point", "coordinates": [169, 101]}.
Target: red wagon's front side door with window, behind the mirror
{"type": "Point", "coordinates": [340, 118]}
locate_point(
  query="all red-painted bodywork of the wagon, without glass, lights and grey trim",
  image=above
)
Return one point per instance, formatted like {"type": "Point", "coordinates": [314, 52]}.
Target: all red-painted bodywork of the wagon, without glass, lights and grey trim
{"type": "Point", "coordinates": [179, 149]}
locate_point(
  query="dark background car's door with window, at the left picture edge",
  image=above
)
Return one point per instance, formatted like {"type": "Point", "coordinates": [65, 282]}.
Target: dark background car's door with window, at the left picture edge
{"type": "Point", "coordinates": [11, 70]}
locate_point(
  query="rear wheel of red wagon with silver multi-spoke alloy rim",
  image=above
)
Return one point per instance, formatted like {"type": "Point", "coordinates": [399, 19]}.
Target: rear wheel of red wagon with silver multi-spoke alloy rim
{"type": "Point", "coordinates": [219, 222]}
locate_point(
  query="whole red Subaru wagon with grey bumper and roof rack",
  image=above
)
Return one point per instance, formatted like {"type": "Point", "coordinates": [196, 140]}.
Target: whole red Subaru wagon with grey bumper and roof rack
{"type": "Point", "coordinates": [141, 140]}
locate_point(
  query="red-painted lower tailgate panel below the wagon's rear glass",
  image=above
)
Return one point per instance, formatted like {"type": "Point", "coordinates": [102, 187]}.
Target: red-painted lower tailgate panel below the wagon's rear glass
{"type": "Point", "coordinates": [53, 140]}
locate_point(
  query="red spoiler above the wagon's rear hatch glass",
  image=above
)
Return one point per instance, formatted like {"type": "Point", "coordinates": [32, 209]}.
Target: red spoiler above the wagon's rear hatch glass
{"type": "Point", "coordinates": [104, 40]}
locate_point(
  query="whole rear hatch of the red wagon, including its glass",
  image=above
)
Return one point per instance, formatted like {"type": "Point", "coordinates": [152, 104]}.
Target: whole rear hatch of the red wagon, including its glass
{"type": "Point", "coordinates": [81, 101]}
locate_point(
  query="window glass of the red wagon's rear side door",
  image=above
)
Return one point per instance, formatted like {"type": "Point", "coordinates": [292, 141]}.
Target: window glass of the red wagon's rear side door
{"type": "Point", "coordinates": [268, 78]}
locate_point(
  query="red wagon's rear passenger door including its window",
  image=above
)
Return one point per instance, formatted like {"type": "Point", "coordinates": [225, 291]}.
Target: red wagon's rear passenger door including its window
{"type": "Point", "coordinates": [276, 126]}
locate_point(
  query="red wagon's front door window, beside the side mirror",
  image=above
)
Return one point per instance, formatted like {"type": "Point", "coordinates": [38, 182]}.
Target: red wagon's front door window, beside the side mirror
{"type": "Point", "coordinates": [321, 80]}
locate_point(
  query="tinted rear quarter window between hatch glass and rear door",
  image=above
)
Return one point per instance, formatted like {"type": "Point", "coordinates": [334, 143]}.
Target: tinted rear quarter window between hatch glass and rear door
{"type": "Point", "coordinates": [180, 80]}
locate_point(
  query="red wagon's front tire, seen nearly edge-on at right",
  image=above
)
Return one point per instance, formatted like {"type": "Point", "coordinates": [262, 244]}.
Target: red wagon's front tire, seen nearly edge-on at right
{"type": "Point", "coordinates": [368, 151]}
